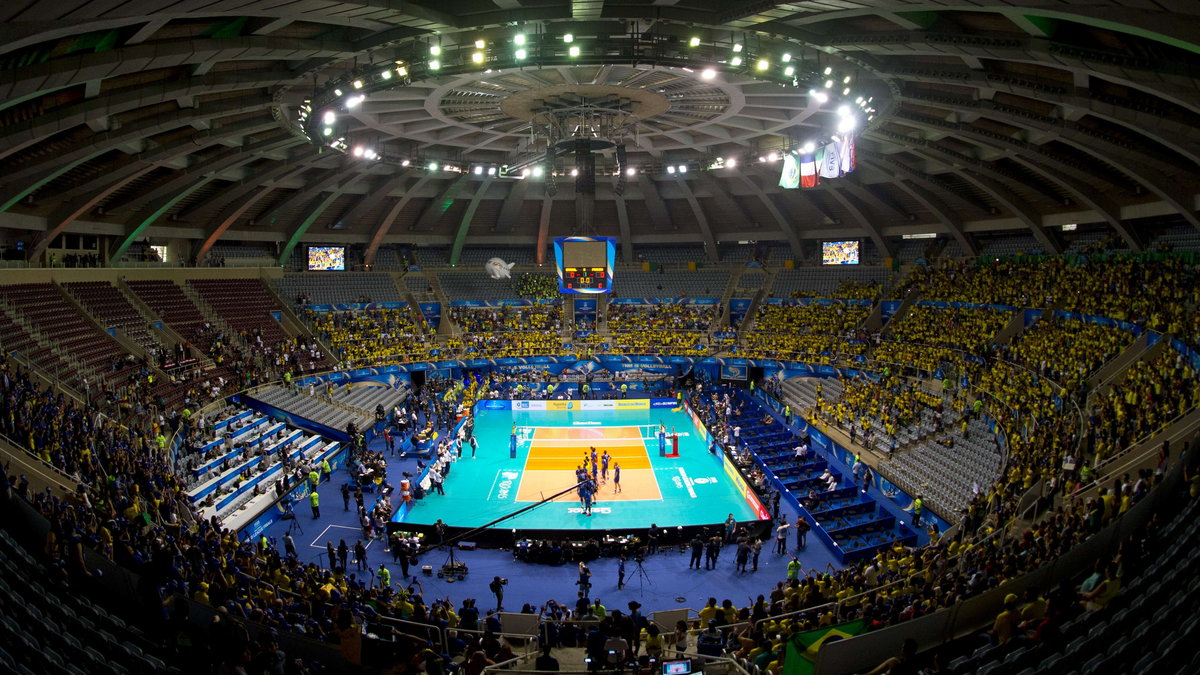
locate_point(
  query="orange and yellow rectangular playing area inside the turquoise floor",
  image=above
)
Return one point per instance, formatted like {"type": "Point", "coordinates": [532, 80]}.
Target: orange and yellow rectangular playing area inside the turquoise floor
{"type": "Point", "coordinates": [555, 452]}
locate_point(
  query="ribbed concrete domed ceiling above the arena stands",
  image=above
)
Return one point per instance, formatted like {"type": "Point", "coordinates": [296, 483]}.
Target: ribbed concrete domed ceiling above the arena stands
{"type": "Point", "coordinates": [176, 120]}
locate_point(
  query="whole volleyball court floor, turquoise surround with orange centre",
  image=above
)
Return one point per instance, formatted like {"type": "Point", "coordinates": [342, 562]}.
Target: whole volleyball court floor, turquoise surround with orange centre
{"type": "Point", "coordinates": [554, 439]}
